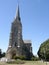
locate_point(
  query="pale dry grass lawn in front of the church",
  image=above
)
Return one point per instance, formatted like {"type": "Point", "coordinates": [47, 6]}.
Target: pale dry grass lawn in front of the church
{"type": "Point", "coordinates": [27, 63]}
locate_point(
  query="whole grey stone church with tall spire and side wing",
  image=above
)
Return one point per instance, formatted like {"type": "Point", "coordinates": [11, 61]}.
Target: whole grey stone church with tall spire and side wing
{"type": "Point", "coordinates": [17, 46]}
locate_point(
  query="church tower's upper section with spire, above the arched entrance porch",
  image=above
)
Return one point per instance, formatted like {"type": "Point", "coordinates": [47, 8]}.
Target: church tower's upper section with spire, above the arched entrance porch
{"type": "Point", "coordinates": [16, 30]}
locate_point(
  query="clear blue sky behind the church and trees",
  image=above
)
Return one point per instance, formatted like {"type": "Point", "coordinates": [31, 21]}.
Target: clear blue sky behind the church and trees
{"type": "Point", "coordinates": [34, 18]}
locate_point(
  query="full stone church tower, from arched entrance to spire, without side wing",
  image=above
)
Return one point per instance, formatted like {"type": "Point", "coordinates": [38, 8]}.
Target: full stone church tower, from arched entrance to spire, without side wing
{"type": "Point", "coordinates": [15, 41]}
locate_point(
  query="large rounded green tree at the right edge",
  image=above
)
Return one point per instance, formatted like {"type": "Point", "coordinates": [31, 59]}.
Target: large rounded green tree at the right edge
{"type": "Point", "coordinates": [43, 51]}
